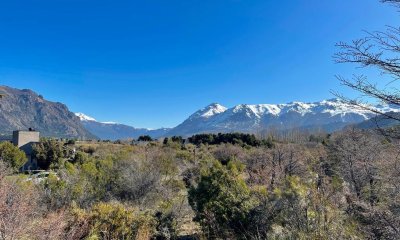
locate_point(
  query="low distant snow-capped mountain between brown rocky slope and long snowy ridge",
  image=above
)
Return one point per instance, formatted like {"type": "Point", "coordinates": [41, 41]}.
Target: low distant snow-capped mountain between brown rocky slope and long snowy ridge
{"type": "Point", "coordinates": [114, 131]}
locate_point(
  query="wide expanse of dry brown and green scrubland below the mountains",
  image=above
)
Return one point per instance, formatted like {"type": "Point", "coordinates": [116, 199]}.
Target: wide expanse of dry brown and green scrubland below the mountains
{"type": "Point", "coordinates": [343, 186]}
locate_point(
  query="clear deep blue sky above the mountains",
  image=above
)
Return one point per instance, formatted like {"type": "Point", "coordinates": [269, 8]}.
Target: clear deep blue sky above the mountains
{"type": "Point", "coordinates": [152, 63]}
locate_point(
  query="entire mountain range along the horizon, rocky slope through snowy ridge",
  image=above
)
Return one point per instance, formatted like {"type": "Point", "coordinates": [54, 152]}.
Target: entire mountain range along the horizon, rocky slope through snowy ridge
{"type": "Point", "coordinates": [22, 109]}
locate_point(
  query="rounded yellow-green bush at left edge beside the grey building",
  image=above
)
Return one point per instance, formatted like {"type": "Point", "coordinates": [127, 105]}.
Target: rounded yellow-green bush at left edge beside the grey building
{"type": "Point", "coordinates": [12, 155]}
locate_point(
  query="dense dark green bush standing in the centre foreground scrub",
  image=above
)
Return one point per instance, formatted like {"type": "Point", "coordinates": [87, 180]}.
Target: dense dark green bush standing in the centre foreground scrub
{"type": "Point", "coordinates": [221, 201]}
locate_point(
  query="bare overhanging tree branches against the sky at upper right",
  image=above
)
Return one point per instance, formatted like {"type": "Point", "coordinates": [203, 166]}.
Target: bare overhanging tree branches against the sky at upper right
{"type": "Point", "coordinates": [379, 50]}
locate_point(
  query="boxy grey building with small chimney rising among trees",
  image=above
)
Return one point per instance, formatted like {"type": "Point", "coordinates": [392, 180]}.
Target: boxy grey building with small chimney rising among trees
{"type": "Point", "coordinates": [24, 140]}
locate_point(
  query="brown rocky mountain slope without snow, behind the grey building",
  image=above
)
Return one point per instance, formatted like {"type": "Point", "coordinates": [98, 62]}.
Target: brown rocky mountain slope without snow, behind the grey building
{"type": "Point", "coordinates": [23, 109]}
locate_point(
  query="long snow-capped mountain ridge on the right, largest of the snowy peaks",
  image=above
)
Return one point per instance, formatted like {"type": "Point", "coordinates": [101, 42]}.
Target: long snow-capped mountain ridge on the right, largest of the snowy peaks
{"type": "Point", "coordinates": [329, 115]}
